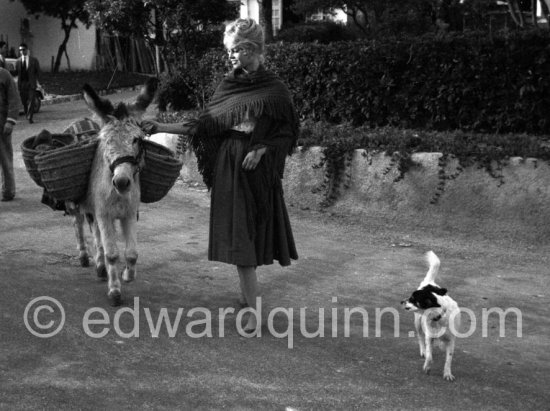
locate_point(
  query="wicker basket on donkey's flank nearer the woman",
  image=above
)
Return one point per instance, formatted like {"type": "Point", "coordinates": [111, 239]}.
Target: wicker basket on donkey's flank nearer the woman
{"type": "Point", "coordinates": [159, 173]}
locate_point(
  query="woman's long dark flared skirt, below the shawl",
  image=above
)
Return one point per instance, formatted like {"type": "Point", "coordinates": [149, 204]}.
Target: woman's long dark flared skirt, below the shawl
{"type": "Point", "coordinates": [240, 233]}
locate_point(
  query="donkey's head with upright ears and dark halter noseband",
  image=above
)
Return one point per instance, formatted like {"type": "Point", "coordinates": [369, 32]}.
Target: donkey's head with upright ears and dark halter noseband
{"type": "Point", "coordinates": [121, 134]}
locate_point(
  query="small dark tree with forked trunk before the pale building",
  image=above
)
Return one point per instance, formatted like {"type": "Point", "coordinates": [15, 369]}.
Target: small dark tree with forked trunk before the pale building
{"type": "Point", "coordinates": [69, 12]}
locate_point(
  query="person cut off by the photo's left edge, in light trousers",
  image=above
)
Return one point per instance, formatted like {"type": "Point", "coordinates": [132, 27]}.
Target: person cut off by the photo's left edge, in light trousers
{"type": "Point", "coordinates": [10, 104]}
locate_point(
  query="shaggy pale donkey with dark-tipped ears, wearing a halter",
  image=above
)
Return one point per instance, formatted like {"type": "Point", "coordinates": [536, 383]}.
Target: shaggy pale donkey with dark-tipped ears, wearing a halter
{"type": "Point", "coordinates": [114, 190]}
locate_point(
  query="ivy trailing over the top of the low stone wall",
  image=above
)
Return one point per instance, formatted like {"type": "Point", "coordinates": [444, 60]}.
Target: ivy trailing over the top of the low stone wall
{"type": "Point", "coordinates": [488, 151]}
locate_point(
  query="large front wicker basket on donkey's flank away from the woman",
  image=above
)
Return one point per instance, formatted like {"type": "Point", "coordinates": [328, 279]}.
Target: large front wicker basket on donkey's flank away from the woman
{"type": "Point", "coordinates": [65, 172]}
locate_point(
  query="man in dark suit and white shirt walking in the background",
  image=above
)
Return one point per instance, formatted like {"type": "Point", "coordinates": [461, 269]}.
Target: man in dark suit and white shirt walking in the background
{"type": "Point", "coordinates": [28, 74]}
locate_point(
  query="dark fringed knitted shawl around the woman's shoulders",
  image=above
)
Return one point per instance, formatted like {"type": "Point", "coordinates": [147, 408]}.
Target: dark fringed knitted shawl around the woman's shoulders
{"type": "Point", "coordinates": [238, 96]}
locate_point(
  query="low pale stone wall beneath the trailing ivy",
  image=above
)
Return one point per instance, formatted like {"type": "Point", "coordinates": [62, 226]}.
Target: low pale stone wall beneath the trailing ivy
{"type": "Point", "coordinates": [472, 201]}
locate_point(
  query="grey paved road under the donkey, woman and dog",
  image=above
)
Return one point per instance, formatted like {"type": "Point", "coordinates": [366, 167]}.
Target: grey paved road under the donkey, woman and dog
{"type": "Point", "coordinates": [344, 263]}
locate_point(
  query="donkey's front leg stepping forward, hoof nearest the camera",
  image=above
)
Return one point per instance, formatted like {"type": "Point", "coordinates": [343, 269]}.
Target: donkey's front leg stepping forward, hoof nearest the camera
{"type": "Point", "coordinates": [108, 238]}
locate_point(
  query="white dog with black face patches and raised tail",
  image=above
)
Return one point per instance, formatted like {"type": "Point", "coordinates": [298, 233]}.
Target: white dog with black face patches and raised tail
{"type": "Point", "coordinates": [437, 317]}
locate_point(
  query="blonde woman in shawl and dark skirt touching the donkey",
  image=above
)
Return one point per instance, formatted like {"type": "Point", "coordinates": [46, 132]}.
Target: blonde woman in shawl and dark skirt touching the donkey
{"type": "Point", "coordinates": [241, 141]}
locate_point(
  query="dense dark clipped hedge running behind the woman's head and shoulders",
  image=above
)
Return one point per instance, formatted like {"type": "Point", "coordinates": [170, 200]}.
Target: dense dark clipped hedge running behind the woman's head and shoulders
{"type": "Point", "coordinates": [471, 82]}
